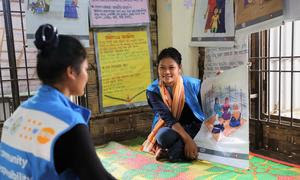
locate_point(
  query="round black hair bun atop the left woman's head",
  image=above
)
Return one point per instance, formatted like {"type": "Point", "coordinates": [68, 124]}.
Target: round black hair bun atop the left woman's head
{"type": "Point", "coordinates": [46, 37]}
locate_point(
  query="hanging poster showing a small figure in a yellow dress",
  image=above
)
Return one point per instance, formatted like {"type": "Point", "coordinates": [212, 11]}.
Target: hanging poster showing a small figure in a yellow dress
{"type": "Point", "coordinates": [213, 23]}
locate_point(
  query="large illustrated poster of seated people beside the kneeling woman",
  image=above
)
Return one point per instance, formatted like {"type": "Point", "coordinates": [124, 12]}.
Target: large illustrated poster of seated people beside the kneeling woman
{"type": "Point", "coordinates": [224, 135]}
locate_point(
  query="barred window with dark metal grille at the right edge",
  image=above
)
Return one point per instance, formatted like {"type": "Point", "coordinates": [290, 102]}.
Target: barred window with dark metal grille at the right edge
{"type": "Point", "coordinates": [275, 71]}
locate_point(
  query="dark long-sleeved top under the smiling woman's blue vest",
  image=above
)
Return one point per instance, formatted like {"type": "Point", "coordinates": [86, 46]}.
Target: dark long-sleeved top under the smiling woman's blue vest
{"type": "Point", "coordinates": [158, 106]}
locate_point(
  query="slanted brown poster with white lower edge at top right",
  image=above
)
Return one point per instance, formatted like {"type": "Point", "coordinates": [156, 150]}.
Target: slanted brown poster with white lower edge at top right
{"type": "Point", "coordinates": [257, 15]}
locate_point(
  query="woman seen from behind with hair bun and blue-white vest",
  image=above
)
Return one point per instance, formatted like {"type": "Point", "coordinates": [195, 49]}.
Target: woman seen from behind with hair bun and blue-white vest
{"type": "Point", "coordinates": [47, 136]}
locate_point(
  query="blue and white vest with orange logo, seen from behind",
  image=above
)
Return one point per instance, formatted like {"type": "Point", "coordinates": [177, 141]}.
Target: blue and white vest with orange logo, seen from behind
{"type": "Point", "coordinates": [29, 135]}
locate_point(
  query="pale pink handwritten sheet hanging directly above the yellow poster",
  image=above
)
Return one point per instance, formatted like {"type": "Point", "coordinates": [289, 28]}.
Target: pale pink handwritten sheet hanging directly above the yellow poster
{"type": "Point", "coordinates": [105, 13]}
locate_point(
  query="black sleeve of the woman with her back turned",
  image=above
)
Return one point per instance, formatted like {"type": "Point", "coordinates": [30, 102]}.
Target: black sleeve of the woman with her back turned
{"type": "Point", "coordinates": [74, 150]}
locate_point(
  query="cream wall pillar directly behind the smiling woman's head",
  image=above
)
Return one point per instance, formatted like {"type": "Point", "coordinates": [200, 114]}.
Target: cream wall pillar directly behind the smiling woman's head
{"type": "Point", "coordinates": [175, 22]}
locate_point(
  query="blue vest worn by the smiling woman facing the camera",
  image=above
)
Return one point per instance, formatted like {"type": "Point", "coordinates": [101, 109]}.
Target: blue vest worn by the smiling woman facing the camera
{"type": "Point", "coordinates": [191, 91]}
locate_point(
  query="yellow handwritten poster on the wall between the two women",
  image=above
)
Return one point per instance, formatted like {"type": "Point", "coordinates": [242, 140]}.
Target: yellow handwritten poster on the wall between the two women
{"type": "Point", "coordinates": [125, 67]}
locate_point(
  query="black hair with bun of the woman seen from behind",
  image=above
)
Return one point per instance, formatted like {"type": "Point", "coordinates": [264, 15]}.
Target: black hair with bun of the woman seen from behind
{"type": "Point", "coordinates": [56, 53]}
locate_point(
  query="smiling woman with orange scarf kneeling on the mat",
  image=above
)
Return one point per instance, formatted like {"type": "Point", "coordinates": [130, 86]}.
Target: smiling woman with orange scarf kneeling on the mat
{"type": "Point", "coordinates": [178, 116]}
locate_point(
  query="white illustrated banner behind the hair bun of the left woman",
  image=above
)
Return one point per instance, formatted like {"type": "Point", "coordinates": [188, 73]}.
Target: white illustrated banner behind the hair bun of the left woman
{"type": "Point", "coordinates": [70, 17]}
